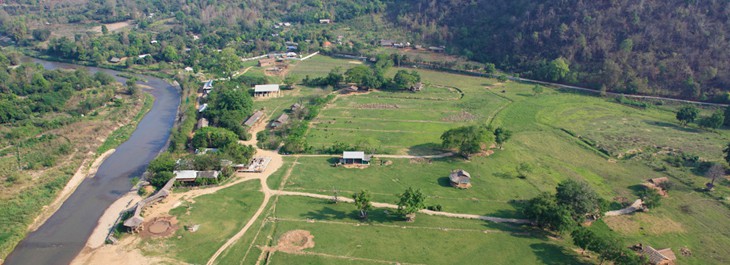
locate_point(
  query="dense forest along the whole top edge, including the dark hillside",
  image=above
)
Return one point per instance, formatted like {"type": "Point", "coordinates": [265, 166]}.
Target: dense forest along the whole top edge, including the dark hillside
{"type": "Point", "coordinates": [676, 48]}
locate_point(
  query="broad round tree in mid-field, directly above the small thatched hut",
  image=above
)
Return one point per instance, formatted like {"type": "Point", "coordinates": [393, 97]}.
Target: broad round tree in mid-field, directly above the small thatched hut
{"type": "Point", "coordinates": [467, 140]}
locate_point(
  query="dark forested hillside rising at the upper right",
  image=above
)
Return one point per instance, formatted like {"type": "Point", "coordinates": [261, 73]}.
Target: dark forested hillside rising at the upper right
{"type": "Point", "coordinates": [668, 47]}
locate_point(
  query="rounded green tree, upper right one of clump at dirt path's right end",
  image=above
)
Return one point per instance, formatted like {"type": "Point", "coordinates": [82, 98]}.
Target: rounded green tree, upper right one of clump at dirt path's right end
{"type": "Point", "coordinates": [579, 197]}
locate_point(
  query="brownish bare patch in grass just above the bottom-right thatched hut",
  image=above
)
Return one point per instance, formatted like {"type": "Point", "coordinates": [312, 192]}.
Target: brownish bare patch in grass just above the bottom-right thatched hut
{"type": "Point", "coordinates": [643, 224]}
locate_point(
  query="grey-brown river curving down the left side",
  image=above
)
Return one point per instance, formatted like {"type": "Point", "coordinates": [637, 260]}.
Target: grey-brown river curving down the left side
{"type": "Point", "coordinates": [65, 233]}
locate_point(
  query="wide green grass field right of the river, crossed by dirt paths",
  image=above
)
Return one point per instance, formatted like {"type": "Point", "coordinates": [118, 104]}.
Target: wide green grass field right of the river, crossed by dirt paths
{"type": "Point", "coordinates": [559, 135]}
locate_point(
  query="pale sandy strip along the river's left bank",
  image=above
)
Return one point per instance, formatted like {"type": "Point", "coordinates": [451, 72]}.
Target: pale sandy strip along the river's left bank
{"type": "Point", "coordinates": [82, 173]}
